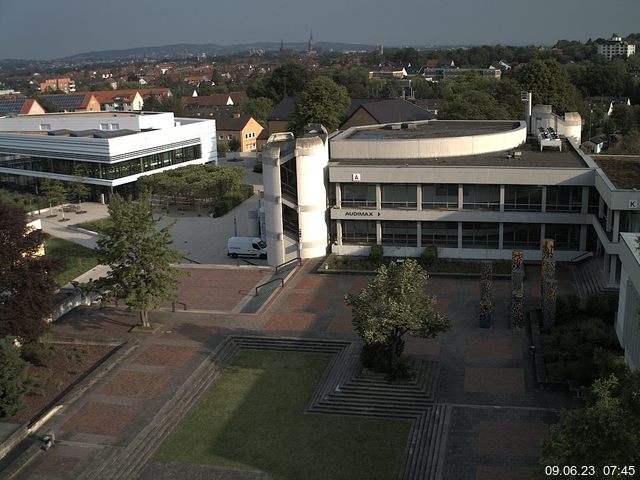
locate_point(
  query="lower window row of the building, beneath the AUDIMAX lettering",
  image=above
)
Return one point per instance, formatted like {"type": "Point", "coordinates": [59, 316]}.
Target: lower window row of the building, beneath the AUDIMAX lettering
{"type": "Point", "coordinates": [474, 234]}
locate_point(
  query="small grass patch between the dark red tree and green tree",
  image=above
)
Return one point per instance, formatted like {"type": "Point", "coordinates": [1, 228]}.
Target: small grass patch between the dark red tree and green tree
{"type": "Point", "coordinates": [74, 259]}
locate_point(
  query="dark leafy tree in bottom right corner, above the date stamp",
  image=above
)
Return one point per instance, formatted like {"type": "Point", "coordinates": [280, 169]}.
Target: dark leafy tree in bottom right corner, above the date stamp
{"type": "Point", "coordinates": [604, 432]}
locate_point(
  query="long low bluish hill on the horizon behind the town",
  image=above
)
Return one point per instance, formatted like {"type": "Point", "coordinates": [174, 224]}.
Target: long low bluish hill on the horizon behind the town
{"type": "Point", "coordinates": [211, 49]}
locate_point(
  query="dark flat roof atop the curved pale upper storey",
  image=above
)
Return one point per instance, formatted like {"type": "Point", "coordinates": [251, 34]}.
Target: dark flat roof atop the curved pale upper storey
{"type": "Point", "coordinates": [432, 129]}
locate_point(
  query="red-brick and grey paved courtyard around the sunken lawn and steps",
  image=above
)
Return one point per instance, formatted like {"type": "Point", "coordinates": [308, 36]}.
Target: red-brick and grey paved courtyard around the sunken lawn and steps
{"type": "Point", "coordinates": [498, 419]}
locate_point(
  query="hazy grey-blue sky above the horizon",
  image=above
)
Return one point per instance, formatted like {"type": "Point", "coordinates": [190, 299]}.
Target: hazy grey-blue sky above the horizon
{"type": "Point", "coordinates": [40, 29]}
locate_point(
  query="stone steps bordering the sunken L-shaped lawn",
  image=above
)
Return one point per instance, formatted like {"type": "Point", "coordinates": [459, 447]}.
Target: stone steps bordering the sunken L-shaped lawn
{"type": "Point", "coordinates": [344, 389]}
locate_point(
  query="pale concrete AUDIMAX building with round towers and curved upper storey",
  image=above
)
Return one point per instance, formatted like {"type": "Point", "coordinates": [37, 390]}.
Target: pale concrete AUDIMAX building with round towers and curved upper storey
{"type": "Point", "coordinates": [473, 189]}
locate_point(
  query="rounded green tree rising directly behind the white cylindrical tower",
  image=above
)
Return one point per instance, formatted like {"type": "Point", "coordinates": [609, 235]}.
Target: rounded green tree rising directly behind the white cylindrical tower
{"type": "Point", "coordinates": [322, 101]}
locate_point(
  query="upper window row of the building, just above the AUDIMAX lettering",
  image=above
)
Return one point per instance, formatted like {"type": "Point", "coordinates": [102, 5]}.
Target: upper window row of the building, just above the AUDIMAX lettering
{"type": "Point", "coordinates": [476, 197]}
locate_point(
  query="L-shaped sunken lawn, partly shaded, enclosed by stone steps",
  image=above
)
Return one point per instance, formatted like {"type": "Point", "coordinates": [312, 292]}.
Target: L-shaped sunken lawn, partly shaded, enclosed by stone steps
{"type": "Point", "coordinates": [254, 417]}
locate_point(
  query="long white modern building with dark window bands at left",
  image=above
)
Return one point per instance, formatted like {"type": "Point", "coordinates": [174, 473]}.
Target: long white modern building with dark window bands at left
{"type": "Point", "coordinates": [111, 150]}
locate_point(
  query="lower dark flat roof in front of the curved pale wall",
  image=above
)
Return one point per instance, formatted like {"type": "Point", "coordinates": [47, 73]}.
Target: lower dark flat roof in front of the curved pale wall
{"type": "Point", "coordinates": [531, 157]}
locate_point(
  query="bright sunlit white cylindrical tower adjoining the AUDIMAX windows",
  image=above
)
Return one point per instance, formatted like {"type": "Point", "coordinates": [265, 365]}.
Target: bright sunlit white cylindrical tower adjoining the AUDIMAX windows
{"type": "Point", "coordinates": [312, 158]}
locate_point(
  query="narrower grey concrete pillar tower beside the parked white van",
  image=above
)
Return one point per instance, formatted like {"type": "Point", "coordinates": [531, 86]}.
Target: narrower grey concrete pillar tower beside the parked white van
{"type": "Point", "coordinates": [273, 204]}
